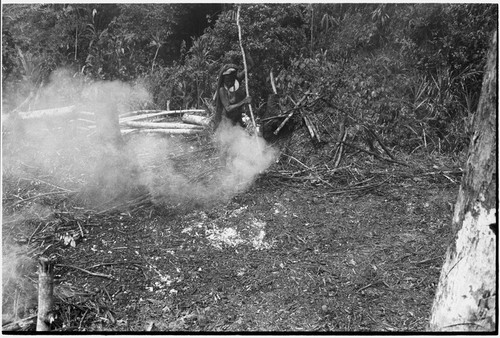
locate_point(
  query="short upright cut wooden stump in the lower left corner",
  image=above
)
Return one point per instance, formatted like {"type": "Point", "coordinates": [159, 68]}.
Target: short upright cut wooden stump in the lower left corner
{"type": "Point", "coordinates": [45, 294]}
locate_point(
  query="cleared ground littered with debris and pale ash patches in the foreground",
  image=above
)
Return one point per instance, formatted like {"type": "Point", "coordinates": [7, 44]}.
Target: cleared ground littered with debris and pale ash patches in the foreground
{"type": "Point", "coordinates": [281, 257]}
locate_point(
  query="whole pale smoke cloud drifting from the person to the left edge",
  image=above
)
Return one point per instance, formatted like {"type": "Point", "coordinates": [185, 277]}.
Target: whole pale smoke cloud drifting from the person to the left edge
{"type": "Point", "coordinates": [65, 153]}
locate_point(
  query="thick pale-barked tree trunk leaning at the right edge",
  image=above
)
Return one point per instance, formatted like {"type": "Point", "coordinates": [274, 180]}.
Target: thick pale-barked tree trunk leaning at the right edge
{"type": "Point", "coordinates": [466, 294]}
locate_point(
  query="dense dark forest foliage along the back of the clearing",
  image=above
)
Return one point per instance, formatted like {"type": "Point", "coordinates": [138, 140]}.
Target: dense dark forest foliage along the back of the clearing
{"type": "Point", "coordinates": [412, 70]}
